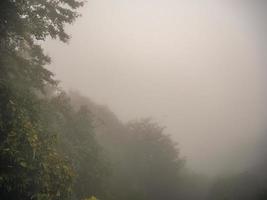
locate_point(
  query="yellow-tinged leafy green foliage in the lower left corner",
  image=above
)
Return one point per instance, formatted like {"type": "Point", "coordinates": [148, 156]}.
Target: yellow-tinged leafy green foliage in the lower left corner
{"type": "Point", "coordinates": [32, 167]}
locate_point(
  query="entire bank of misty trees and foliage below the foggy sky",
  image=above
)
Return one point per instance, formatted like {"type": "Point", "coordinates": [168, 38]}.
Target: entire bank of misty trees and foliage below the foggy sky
{"type": "Point", "coordinates": [61, 145]}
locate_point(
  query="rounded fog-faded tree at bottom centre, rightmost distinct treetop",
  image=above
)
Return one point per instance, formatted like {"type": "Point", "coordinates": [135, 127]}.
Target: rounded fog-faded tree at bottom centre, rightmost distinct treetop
{"type": "Point", "coordinates": [150, 166]}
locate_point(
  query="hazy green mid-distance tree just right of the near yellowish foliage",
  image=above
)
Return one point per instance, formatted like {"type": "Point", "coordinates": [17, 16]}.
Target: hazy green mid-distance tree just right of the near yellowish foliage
{"type": "Point", "coordinates": [79, 144]}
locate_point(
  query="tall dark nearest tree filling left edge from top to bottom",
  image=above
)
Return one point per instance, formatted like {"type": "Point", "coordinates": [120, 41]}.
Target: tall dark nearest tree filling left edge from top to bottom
{"type": "Point", "coordinates": [31, 167]}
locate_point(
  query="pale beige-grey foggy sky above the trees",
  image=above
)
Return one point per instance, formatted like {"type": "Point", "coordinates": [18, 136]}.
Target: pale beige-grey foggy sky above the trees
{"type": "Point", "coordinates": [197, 67]}
